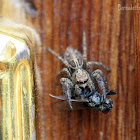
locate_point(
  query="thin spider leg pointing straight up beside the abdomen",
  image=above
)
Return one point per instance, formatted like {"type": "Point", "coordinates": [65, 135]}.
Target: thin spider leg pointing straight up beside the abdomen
{"type": "Point", "coordinates": [84, 47]}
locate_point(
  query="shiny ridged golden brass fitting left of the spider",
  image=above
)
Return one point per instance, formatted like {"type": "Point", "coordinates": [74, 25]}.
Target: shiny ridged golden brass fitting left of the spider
{"type": "Point", "coordinates": [16, 88]}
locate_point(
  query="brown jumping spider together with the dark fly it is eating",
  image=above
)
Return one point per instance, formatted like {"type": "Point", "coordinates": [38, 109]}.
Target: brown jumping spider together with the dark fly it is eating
{"type": "Point", "coordinates": [82, 84]}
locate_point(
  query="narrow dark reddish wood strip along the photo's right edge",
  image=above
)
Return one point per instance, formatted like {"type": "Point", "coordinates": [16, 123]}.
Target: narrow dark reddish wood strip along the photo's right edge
{"type": "Point", "coordinates": [137, 65]}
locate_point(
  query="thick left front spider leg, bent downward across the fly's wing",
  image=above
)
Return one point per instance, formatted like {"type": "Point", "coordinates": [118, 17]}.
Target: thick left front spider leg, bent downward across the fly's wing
{"type": "Point", "coordinates": [67, 86]}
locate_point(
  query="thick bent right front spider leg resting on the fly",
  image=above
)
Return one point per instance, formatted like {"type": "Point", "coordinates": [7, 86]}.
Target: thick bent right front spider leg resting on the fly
{"type": "Point", "coordinates": [99, 77]}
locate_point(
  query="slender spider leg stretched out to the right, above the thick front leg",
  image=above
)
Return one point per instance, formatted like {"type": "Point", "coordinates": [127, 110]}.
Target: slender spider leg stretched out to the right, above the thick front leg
{"type": "Point", "coordinates": [99, 64]}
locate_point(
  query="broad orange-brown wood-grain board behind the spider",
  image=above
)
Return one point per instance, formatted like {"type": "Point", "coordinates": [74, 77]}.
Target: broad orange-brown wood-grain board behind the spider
{"type": "Point", "coordinates": [109, 33]}
